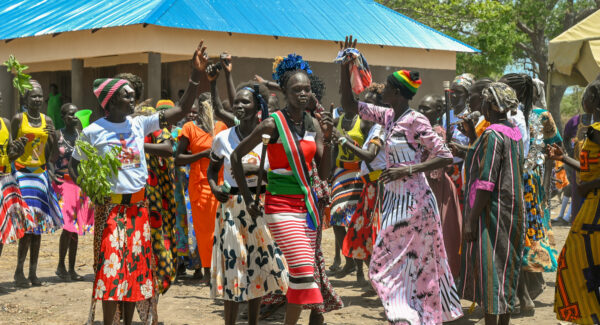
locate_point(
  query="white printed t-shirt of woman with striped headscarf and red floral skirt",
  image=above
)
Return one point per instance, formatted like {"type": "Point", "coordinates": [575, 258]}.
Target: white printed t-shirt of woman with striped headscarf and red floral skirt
{"type": "Point", "coordinates": [129, 135]}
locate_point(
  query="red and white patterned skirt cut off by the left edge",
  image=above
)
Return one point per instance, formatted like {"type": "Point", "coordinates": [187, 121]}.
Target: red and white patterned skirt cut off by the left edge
{"type": "Point", "coordinates": [15, 218]}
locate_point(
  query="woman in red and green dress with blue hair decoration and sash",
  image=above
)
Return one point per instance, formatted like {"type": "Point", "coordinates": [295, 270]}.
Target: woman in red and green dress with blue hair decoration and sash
{"type": "Point", "coordinates": [290, 204]}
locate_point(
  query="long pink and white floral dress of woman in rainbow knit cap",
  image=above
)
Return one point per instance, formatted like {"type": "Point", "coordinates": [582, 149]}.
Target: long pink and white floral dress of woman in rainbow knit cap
{"type": "Point", "coordinates": [409, 268]}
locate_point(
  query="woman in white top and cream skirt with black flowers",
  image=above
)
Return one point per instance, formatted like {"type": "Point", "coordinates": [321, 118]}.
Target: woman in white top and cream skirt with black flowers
{"type": "Point", "coordinates": [246, 263]}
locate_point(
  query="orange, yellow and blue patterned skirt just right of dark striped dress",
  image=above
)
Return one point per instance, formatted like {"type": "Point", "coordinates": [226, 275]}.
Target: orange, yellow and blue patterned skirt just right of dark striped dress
{"type": "Point", "coordinates": [540, 253]}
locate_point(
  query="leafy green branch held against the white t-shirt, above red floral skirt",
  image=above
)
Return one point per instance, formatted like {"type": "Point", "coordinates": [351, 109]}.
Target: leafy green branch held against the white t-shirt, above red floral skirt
{"type": "Point", "coordinates": [96, 170]}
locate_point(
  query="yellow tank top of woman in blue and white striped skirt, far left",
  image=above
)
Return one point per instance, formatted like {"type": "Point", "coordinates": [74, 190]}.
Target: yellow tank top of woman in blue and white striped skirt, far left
{"type": "Point", "coordinates": [34, 157]}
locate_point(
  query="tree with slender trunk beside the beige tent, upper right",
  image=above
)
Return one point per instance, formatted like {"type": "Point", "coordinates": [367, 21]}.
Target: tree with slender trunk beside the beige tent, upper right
{"type": "Point", "coordinates": [539, 22]}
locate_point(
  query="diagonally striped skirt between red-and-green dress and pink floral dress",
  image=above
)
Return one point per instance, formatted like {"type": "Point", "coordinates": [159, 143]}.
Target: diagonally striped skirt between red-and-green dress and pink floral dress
{"type": "Point", "coordinates": [345, 194]}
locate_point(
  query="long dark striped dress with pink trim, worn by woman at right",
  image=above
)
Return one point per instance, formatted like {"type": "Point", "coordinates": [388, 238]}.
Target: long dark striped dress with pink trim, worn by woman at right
{"type": "Point", "coordinates": [490, 266]}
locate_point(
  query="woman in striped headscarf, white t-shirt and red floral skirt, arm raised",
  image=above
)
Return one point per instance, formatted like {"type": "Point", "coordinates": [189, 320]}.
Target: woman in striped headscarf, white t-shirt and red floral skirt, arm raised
{"type": "Point", "coordinates": [122, 252]}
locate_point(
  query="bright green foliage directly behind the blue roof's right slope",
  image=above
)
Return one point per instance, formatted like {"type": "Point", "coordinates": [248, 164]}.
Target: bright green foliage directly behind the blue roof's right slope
{"type": "Point", "coordinates": [486, 25]}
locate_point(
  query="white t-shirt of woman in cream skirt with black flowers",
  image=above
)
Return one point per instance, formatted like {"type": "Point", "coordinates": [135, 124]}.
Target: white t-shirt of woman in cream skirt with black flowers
{"type": "Point", "coordinates": [224, 144]}
